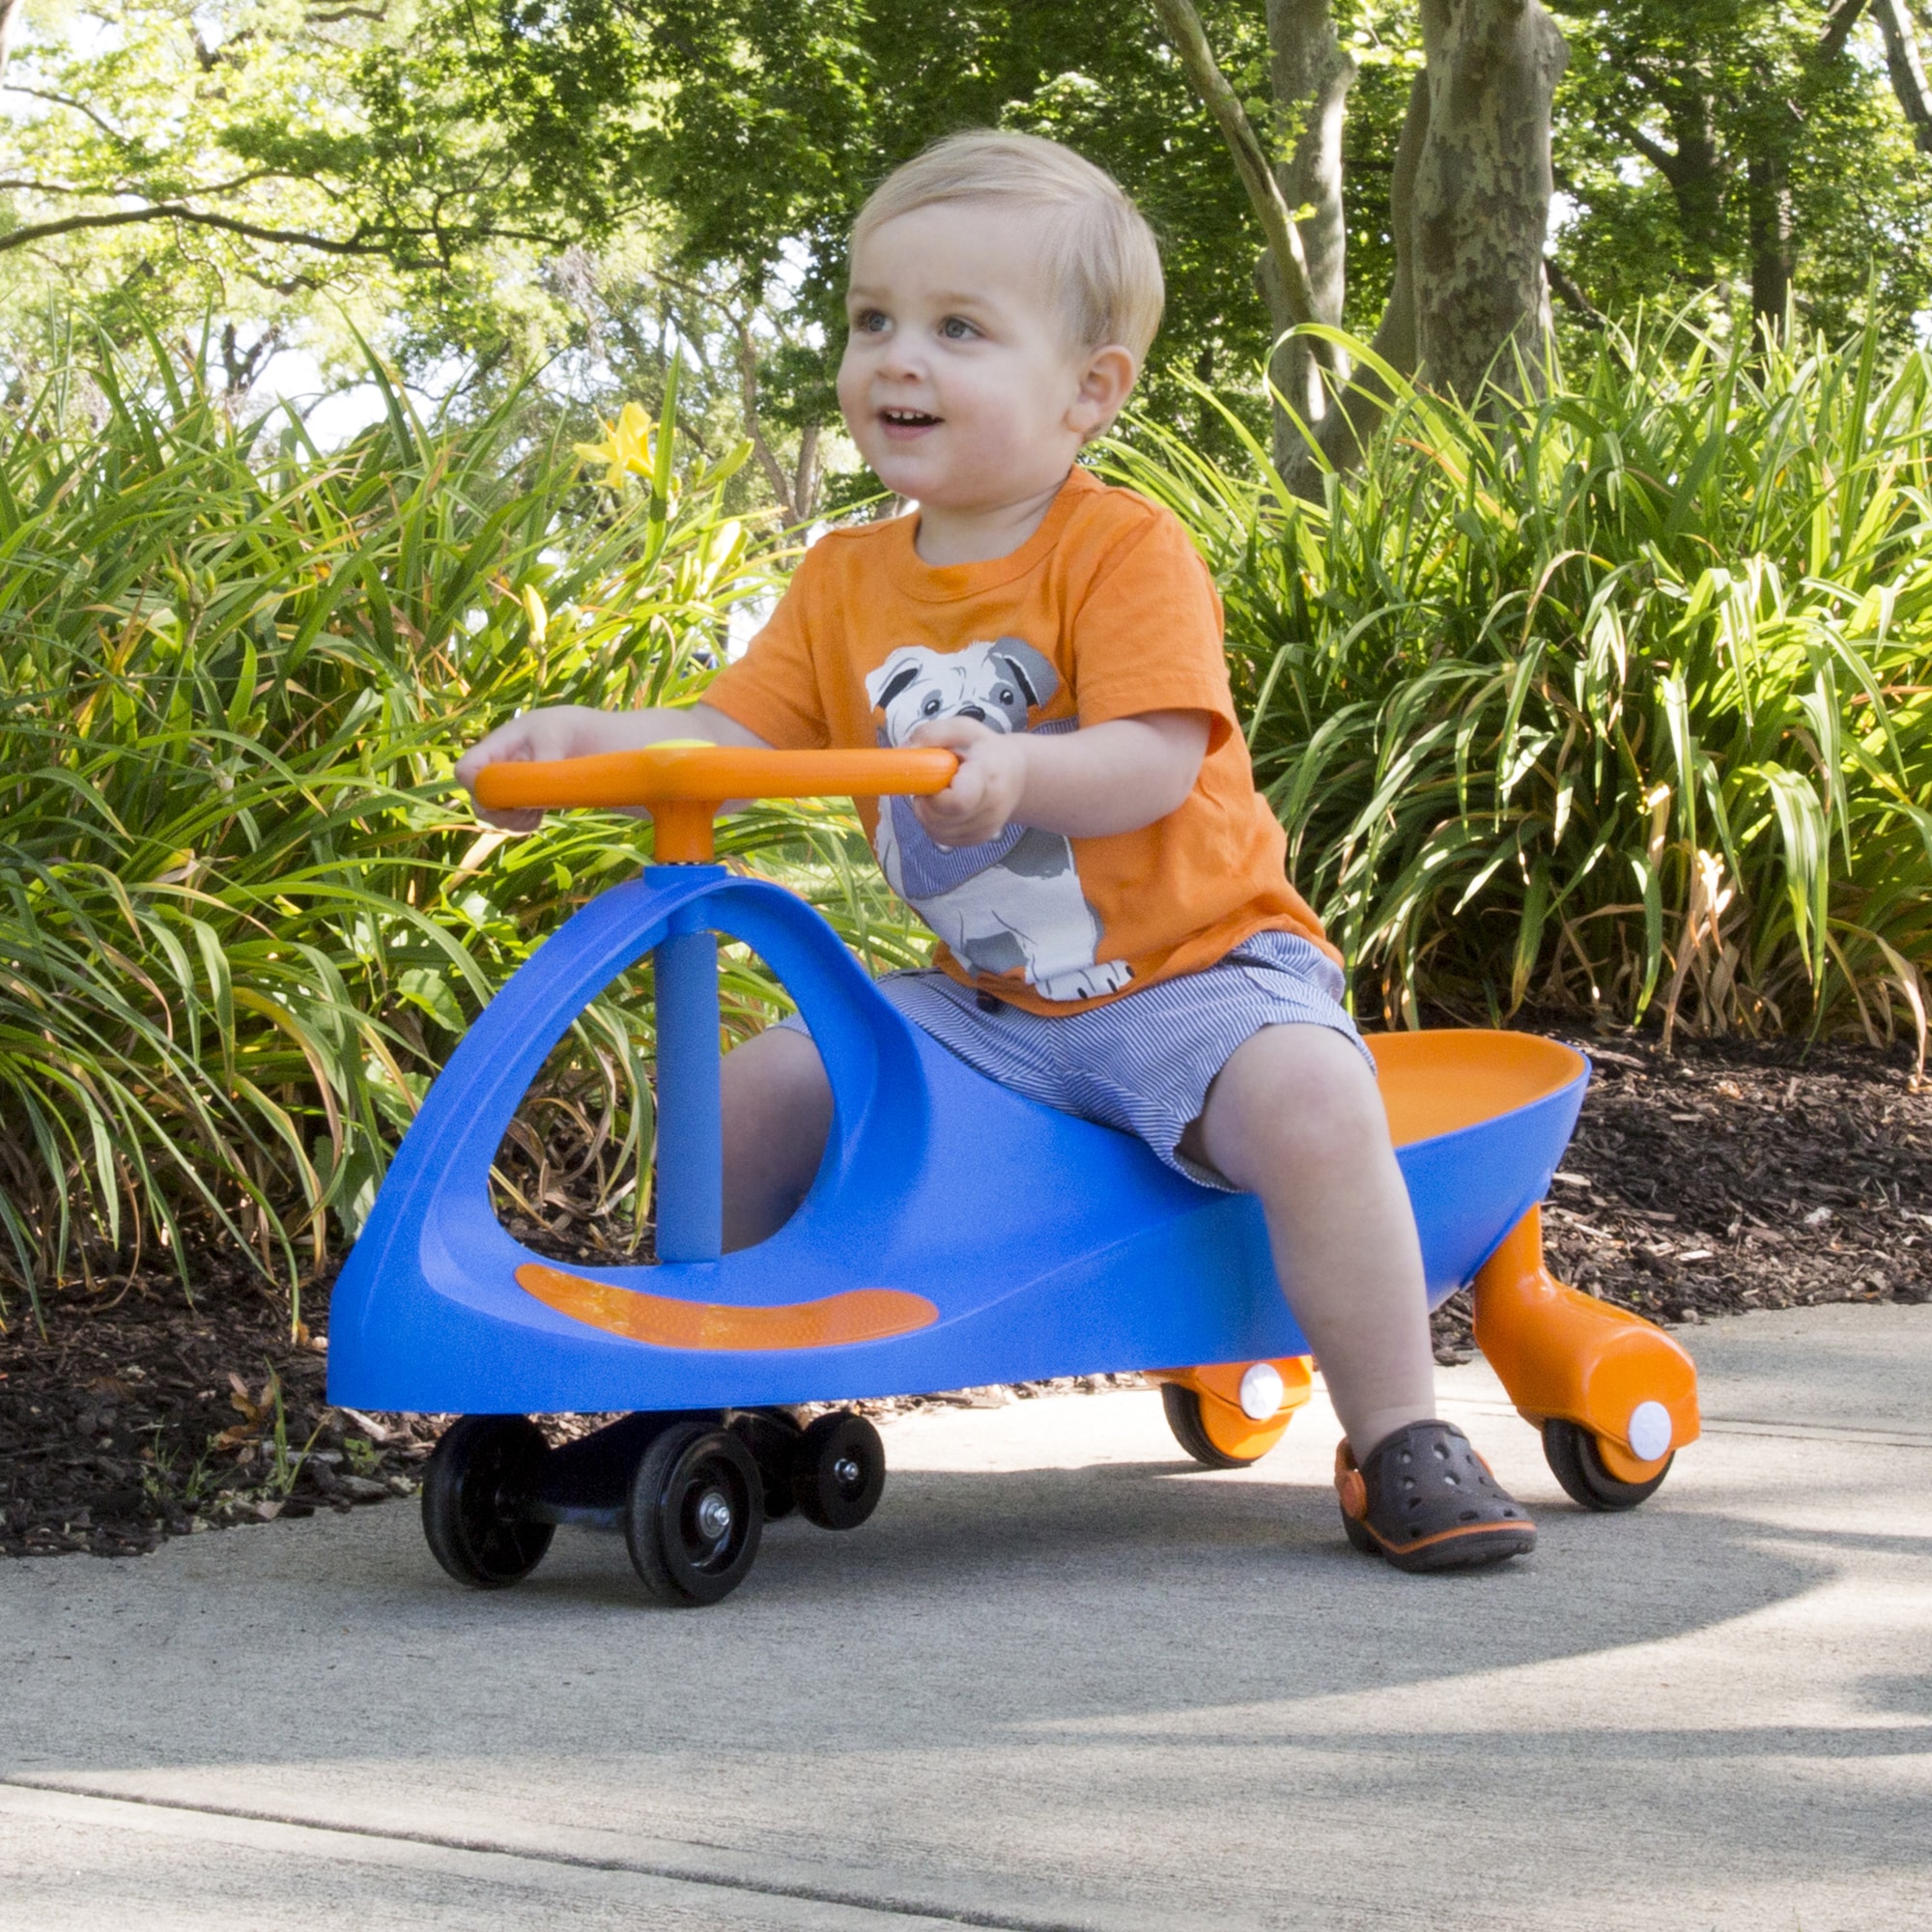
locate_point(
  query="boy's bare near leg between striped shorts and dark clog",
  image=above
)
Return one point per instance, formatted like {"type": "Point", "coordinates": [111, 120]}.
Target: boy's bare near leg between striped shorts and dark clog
{"type": "Point", "coordinates": [1297, 1120]}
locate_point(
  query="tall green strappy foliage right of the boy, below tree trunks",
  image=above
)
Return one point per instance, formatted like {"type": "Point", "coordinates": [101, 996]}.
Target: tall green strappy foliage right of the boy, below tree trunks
{"type": "Point", "coordinates": [1616, 700]}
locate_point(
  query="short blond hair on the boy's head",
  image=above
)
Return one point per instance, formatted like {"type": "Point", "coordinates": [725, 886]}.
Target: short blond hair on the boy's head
{"type": "Point", "coordinates": [1100, 250]}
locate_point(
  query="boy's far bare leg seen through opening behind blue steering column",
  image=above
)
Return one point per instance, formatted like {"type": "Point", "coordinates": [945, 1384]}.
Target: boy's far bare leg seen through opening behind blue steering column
{"type": "Point", "coordinates": [778, 1114]}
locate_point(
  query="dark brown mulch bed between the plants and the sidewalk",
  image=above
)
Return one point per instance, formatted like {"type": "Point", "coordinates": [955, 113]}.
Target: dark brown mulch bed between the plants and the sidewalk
{"type": "Point", "coordinates": [1726, 1178]}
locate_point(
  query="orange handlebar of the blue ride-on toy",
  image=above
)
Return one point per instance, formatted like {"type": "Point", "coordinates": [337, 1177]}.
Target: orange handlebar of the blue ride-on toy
{"type": "Point", "coordinates": [685, 783]}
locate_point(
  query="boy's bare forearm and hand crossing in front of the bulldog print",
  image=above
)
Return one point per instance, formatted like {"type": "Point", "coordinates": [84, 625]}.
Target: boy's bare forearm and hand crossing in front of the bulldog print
{"type": "Point", "coordinates": [1089, 783]}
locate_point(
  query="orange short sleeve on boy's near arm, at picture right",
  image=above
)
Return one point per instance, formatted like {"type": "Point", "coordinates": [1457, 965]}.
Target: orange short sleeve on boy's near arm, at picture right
{"type": "Point", "coordinates": [1149, 633]}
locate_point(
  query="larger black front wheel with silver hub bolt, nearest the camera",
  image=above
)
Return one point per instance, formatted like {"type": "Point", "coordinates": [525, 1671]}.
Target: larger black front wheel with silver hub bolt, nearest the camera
{"type": "Point", "coordinates": [695, 1516]}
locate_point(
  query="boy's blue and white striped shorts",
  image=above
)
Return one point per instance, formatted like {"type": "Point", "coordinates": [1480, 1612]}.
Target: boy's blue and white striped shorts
{"type": "Point", "coordinates": [1141, 1064]}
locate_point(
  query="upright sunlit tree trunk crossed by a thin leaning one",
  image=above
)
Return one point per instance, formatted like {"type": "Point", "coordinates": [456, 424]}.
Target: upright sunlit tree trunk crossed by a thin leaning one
{"type": "Point", "coordinates": [1311, 78]}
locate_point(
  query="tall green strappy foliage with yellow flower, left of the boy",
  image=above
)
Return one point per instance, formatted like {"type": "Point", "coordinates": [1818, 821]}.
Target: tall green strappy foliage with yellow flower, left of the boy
{"type": "Point", "coordinates": [242, 919]}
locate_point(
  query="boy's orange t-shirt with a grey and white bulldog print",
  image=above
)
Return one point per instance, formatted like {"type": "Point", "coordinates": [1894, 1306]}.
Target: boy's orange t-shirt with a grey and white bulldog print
{"type": "Point", "coordinates": [1104, 613]}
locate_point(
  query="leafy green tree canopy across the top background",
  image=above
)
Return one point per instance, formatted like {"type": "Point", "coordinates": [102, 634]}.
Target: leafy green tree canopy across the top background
{"type": "Point", "coordinates": [608, 181]}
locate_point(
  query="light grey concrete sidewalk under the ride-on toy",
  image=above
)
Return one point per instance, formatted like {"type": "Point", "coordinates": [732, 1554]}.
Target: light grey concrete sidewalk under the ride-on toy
{"type": "Point", "coordinates": [1058, 1682]}
